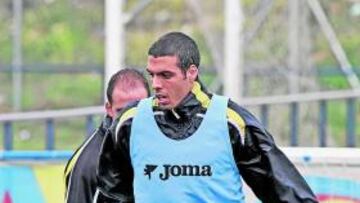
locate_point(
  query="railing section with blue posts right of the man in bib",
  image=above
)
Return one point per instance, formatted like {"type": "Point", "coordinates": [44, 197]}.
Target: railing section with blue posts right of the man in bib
{"type": "Point", "coordinates": [294, 101]}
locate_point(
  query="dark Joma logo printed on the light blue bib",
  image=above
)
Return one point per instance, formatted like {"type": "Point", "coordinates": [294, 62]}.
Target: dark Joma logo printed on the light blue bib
{"type": "Point", "coordinates": [183, 170]}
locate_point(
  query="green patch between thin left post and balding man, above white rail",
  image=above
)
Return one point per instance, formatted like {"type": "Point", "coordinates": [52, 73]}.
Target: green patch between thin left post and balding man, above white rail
{"type": "Point", "coordinates": [61, 91]}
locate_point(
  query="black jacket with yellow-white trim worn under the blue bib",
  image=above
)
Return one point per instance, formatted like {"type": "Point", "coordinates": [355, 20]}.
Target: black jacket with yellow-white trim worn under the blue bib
{"type": "Point", "coordinates": [269, 173]}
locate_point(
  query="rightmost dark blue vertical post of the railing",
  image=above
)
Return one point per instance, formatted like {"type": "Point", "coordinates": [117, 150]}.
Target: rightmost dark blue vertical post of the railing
{"type": "Point", "coordinates": [350, 125]}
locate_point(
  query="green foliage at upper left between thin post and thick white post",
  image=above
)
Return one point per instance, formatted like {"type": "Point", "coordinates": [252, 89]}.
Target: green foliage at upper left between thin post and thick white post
{"type": "Point", "coordinates": [59, 33]}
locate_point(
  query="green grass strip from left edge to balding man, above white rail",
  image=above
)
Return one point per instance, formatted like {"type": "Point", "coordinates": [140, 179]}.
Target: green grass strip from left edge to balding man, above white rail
{"type": "Point", "coordinates": [53, 91]}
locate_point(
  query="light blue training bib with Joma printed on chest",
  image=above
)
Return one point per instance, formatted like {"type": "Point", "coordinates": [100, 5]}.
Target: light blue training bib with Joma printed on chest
{"type": "Point", "coordinates": [200, 168]}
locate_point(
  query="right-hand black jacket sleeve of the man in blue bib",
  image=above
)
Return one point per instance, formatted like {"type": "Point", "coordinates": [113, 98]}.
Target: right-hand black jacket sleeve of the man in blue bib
{"type": "Point", "coordinates": [263, 166]}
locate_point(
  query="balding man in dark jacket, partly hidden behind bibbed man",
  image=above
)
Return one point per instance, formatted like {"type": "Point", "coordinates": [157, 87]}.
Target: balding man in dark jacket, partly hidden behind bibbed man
{"type": "Point", "coordinates": [124, 87]}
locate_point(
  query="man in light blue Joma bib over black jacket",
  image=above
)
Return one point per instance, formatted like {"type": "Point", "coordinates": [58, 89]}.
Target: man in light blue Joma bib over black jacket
{"type": "Point", "coordinates": [188, 145]}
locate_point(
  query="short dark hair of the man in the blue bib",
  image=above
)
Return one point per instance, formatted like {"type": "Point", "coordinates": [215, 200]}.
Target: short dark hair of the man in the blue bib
{"type": "Point", "coordinates": [177, 44]}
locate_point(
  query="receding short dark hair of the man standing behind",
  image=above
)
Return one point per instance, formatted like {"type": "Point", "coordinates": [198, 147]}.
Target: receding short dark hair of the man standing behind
{"type": "Point", "coordinates": [128, 76]}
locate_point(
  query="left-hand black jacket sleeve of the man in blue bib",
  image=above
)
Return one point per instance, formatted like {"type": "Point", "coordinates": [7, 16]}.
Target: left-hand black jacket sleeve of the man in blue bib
{"type": "Point", "coordinates": [115, 174]}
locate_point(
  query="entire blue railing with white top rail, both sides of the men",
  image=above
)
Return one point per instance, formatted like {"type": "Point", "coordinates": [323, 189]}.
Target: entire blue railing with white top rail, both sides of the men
{"type": "Point", "coordinates": [264, 103]}
